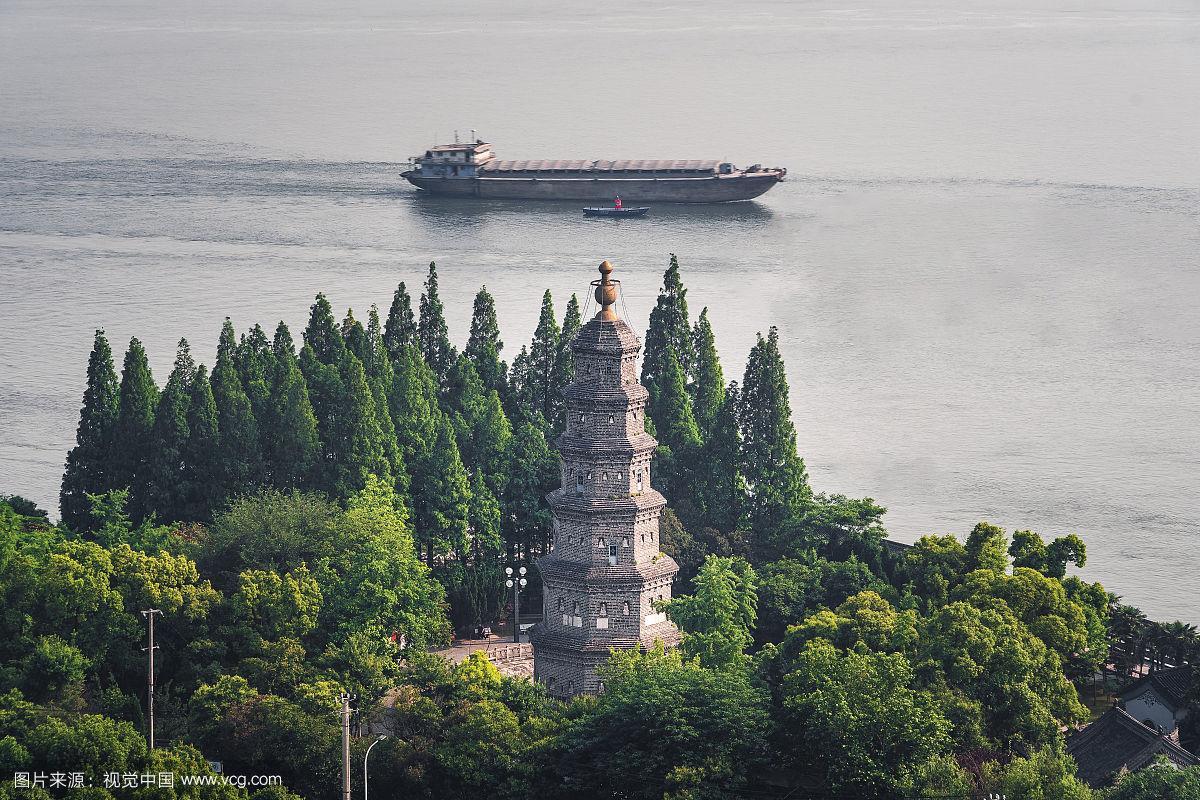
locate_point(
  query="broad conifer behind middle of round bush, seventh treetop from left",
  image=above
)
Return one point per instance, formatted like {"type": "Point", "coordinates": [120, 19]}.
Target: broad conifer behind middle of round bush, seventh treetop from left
{"type": "Point", "coordinates": [292, 448]}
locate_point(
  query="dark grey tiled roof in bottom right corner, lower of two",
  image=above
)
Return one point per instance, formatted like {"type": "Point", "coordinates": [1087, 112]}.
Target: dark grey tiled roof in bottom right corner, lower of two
{"type": "Point", "coordinates": [1118, 742]}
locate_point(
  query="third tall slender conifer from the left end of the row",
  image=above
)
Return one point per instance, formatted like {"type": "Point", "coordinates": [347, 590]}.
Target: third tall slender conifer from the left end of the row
{"type": "Point", "coordinates": [171, 435]}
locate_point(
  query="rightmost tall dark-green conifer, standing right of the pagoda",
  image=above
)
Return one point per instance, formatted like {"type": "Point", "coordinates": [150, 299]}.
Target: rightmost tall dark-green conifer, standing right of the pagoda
{"type": "Point", "coordinates": [775, 471]}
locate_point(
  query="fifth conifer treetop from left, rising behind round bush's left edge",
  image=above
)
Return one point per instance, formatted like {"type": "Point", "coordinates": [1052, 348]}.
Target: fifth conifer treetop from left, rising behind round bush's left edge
{"type": "Point", "coordinates": [241, 458]}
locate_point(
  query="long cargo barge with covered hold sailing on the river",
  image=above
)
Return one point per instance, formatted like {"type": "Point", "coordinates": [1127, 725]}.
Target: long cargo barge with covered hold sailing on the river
{"type": "Point", "coordinates": [473, 171]}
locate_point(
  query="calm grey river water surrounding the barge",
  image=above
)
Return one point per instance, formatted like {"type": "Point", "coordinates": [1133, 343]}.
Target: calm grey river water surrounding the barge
{"type": "Point", "coordinates": [985, 263]}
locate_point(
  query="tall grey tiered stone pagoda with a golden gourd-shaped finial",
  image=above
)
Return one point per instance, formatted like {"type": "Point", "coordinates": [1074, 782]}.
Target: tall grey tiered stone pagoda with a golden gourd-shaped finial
{"type": "Point", "coordinates": [605, 570]}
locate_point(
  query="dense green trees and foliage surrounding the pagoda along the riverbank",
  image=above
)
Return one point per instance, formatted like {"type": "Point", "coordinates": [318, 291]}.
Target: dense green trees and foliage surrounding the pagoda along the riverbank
{"type": "Point", "coordinates": [313, 521]}
